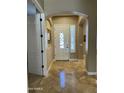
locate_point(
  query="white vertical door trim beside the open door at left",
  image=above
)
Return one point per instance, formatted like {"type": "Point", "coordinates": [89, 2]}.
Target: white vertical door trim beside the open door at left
{"type": "Point", "coordinates": [43, 40]}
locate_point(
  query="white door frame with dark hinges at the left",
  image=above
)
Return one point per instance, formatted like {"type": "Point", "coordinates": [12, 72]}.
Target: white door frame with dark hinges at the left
{"type": "Point", "coordinates": [43, 36]}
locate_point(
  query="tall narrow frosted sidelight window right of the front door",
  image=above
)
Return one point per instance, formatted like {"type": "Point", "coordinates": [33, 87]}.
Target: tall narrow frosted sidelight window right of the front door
{"type": "Point", "coordinates": [72, 34]}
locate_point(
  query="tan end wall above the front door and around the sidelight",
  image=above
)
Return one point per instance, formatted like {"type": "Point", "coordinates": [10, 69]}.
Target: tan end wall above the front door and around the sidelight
{"type": "Point", "coordinates": [71, 21]}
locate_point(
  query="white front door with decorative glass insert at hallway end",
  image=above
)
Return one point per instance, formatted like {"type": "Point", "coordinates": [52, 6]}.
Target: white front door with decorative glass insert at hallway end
{"type": "Point", "coordinates": [61, 44]}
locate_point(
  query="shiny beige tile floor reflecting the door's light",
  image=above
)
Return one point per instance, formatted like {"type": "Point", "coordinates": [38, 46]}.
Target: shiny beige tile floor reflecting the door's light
{"type": "Point", "coordinates": [64, 77]}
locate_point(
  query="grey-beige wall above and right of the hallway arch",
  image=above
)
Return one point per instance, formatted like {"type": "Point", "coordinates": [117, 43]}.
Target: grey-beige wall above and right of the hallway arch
{"type": "Point", "coordinates": [88, 7]}
